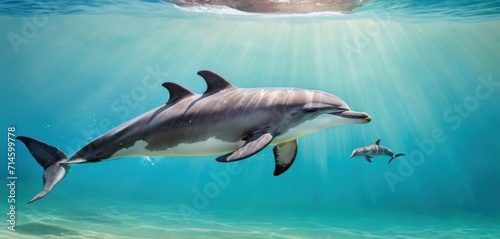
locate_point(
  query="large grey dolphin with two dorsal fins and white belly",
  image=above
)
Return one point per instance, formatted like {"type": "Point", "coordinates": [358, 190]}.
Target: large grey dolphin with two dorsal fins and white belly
{"type": "Point", "coordinates": [235, 122]}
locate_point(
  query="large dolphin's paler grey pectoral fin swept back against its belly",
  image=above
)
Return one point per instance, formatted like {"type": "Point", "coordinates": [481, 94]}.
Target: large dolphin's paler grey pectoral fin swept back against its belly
{"type": "Point", "coordinates": [253, 145]}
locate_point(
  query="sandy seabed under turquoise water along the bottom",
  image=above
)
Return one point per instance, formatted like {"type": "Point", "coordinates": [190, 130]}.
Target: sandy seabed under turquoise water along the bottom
{"type": "Point", "coordinates": [129, 220]}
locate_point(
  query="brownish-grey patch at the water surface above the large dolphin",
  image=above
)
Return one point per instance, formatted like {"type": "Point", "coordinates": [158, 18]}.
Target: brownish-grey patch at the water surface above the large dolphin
{"type": "Point", "coordinates": [278, 6]}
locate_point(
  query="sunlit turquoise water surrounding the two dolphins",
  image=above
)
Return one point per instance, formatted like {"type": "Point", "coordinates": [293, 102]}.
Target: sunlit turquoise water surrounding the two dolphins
{"type": "Point", "coordinates": [427, 74]}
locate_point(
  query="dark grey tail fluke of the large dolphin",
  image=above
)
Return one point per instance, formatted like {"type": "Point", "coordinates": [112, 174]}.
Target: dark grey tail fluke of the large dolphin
{"type": "Point", "coordinates": [51, 159]}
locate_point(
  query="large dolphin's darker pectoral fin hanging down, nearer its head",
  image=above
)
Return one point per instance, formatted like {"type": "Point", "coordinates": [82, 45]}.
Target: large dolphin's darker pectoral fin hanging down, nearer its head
{"type": "Point", "coordinates": [284, 155]}
